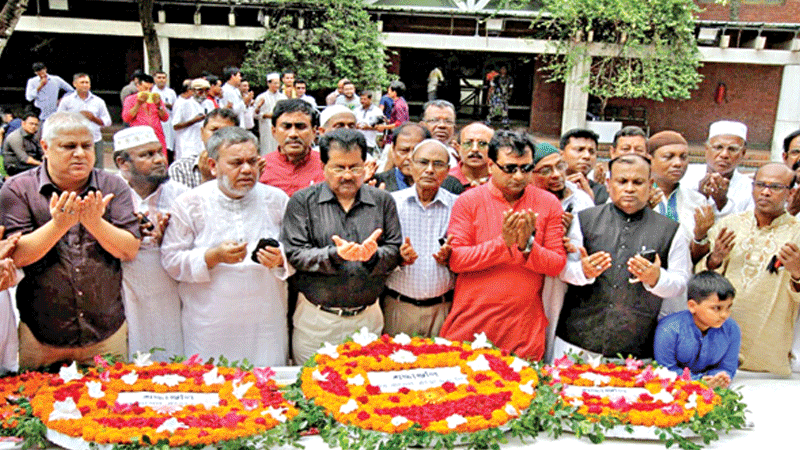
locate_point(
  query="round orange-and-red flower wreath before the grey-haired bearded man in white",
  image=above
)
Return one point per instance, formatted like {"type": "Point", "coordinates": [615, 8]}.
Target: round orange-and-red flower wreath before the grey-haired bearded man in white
{"type": "Point", "coordinates": [218, 403]}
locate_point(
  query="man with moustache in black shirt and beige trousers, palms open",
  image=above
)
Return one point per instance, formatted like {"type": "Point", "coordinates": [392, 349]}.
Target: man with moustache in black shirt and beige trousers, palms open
{"type": "Point", "coordinates": [343, 237]}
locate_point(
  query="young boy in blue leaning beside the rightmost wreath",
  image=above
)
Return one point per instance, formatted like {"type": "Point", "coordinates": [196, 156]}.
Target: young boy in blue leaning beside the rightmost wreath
{"type": "Point", "coordinates": [702, 338]}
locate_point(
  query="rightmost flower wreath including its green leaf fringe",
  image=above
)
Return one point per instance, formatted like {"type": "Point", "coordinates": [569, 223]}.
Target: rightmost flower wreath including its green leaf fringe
{"type": "Point", "coordinates": [631, 395]}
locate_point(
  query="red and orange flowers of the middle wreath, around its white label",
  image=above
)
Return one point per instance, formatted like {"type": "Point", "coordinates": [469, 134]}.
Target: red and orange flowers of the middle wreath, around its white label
{"type": "Point", "coordinates": [498, 386]}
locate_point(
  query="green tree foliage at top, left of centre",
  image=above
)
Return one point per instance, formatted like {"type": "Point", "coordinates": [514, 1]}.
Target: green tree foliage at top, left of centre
{"type": "Point", "coordinates": [336, 40]}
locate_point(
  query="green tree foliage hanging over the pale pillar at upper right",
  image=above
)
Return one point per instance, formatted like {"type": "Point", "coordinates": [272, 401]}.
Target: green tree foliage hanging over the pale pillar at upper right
{"type": "Point", "coordinates": [638, 48]}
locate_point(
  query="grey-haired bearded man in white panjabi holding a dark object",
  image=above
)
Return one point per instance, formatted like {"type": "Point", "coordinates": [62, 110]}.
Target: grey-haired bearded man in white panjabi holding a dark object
{"type": "Point", "coordinates": [232, 305]}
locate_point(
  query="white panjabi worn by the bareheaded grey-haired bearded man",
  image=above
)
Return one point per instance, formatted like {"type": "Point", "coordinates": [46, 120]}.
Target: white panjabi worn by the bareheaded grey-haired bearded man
{"type": "Point", "coordinates": [236, 310]}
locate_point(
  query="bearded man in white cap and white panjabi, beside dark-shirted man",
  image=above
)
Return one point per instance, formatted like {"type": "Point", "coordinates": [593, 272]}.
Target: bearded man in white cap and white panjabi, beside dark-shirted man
{"type": "Point", "coordinates": [150, 295]}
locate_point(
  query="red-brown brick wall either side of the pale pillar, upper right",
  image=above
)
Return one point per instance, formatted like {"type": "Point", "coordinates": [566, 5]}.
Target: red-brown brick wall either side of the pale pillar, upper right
{"type": "Point", "coordinates": [752, 98]}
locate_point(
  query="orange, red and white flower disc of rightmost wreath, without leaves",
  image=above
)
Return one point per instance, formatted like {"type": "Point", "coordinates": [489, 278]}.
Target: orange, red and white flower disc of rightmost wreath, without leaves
{"type": "Point", "coordinates": [664, 400]}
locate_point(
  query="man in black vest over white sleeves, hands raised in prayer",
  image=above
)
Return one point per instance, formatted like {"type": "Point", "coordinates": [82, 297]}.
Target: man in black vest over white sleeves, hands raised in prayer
{"type": "Point", "coordinates": [615, 295]}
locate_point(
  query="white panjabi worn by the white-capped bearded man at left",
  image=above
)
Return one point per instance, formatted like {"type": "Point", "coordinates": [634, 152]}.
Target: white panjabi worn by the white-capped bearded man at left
{"type": "Point", "coordinates": [150, 295]}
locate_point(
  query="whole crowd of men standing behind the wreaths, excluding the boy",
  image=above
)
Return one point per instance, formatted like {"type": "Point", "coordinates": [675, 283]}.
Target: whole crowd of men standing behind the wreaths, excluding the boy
{"type": "Point", "coordinates": [266, 249]}
